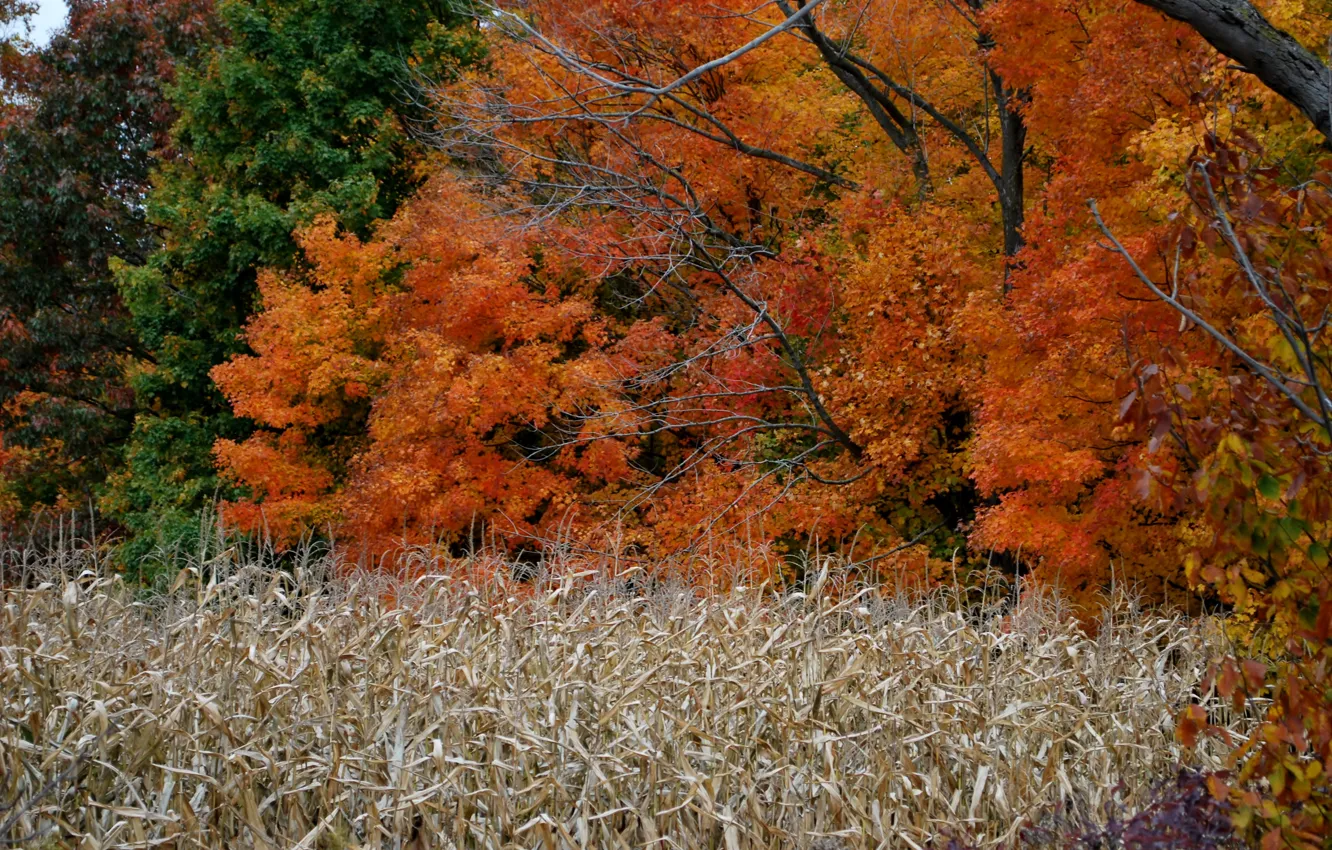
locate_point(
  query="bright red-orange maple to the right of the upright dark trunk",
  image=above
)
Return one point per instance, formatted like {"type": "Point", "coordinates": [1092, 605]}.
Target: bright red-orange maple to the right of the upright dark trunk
{"type": "Point", "coordinates": [1052, 452]}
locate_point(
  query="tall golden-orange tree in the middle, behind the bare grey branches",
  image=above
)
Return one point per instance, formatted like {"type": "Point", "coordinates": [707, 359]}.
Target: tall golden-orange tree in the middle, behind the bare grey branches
{"type": "Point", "coordinates": [840, 115]}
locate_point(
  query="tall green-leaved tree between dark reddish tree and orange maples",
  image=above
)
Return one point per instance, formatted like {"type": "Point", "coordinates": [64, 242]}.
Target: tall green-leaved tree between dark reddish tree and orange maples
{"type": "Point", "coordinates": [300, 110]}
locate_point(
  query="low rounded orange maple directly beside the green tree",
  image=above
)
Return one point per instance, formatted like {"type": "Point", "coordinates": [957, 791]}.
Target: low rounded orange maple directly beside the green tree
{"type": "Point", "coordinates": [406, 383]}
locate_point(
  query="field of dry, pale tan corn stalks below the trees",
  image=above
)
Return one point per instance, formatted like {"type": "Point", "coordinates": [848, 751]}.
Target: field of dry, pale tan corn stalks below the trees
{"type": "Point", "coordinates": [264, 711]}
